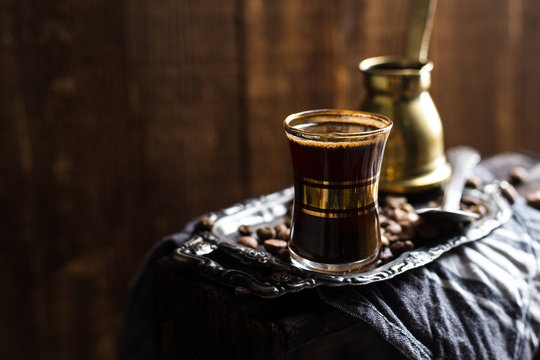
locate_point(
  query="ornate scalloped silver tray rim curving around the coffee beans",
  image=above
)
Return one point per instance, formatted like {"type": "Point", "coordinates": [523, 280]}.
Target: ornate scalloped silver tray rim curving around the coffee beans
{"type": "Point", "coordinates": [217, 256]}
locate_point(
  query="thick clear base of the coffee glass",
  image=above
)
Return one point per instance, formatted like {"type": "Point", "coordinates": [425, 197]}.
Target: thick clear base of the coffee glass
{"type": "Point", "coordinates": [341, 269]}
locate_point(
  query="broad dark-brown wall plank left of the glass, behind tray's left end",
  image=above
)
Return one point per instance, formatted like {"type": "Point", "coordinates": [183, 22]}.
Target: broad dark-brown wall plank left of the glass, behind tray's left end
{"type": "Point", "coordinates": [183, 72]}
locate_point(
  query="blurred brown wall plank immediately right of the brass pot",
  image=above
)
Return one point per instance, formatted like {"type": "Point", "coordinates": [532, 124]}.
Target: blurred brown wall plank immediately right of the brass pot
{"type": "Point", "coordinates": [468, 41]}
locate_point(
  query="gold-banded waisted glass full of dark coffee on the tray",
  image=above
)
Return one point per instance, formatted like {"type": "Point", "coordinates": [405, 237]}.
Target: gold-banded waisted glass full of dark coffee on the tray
{"type": "Point", "coordinates": [336, 156]}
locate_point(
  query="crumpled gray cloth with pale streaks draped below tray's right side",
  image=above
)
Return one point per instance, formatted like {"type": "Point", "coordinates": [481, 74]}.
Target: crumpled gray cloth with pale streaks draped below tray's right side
{"type": "Point", "coordinates": [479, 301]}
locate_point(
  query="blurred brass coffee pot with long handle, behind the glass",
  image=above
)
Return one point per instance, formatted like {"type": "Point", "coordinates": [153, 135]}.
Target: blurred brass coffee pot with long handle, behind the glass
{"type": "Point", "coordinates": [398, 87]}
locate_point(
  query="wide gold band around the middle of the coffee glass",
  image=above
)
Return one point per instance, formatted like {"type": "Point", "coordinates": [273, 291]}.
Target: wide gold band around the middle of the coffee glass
{"type": "Point", "coordinates": [337, 199]}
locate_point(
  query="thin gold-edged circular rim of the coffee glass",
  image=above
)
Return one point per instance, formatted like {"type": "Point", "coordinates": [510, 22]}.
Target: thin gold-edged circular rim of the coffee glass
{"type": "Point", "coordinates": [337, 114]}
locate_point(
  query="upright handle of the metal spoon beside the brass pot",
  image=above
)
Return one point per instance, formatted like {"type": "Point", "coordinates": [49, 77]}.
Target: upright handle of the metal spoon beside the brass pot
{"type": "Point", "coordinates": [463, 159]}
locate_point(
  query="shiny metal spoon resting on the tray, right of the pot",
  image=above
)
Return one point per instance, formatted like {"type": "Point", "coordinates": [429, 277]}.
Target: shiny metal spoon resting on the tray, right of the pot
{"type": "Point", "coordinates": [463, 159]}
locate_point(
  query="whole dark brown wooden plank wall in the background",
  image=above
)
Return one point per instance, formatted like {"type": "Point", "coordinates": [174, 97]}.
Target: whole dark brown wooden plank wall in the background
{"type": "Point", "coordinates": [122, 120]}
